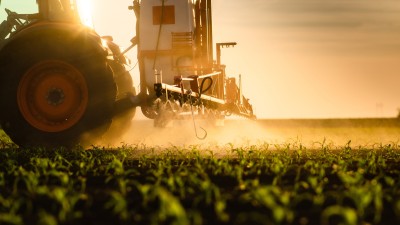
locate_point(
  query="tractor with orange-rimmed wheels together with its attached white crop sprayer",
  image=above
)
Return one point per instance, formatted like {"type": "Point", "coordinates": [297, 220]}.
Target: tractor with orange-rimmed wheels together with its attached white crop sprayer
{"type": "Point", "coordinates": [62, 84]}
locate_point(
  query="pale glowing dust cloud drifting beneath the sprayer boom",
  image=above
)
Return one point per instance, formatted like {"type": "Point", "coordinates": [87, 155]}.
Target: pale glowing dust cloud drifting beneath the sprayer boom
{"type": "Point", "coordinates": [183, 133]}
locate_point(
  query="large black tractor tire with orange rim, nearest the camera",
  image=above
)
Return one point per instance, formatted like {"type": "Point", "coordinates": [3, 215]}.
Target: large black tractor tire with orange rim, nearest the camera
{"type": "Point", "coordinates": [56, 88]}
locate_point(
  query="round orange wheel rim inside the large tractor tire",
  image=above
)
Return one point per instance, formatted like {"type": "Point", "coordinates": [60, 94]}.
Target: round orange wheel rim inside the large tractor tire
{"type": "Point", "coordinates": [52, 96]}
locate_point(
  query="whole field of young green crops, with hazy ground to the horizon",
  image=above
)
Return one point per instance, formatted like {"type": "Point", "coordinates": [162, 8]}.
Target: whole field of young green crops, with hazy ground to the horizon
{"type": "Point", "coordinates": [268, 172]}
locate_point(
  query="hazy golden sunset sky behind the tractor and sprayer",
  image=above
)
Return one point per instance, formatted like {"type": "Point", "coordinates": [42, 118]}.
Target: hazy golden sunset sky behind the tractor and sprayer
{"type": "Point", "coordinates": [297, 58]}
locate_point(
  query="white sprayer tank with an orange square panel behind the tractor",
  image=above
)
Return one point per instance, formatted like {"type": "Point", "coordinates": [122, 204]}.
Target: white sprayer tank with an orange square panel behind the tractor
{"type": "Point", "coordinates": [166, 46]}
